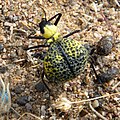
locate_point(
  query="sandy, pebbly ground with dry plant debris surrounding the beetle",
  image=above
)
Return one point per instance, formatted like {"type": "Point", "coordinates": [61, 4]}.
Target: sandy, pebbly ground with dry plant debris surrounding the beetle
{"type": "Point", "coordinates": [74, 99]}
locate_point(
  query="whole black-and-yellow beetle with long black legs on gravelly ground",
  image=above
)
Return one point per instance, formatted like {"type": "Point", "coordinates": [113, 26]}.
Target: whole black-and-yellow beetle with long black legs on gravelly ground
{"type": "Point", "coordinates": [66, 58]}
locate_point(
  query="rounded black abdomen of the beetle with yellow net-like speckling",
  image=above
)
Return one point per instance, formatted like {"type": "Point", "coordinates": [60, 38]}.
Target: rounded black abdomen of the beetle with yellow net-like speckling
{"type": "Point", "coordinates": [65, 60]}
